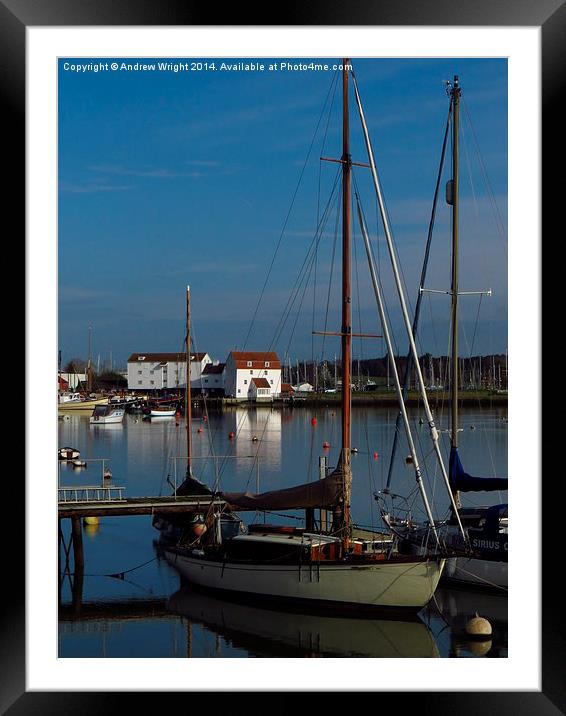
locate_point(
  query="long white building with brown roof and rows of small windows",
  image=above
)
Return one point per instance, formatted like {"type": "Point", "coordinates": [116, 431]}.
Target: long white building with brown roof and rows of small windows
{"type": "Point", "coordinates": [164, 371]}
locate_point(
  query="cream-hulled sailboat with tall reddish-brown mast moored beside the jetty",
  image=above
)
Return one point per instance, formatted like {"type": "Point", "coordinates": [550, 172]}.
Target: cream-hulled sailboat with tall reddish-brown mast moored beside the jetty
{"type": "Point", "coordinates": [338, 566]}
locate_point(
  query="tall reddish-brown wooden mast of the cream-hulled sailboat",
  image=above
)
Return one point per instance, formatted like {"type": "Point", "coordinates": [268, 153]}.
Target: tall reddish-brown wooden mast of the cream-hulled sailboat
{"type": "Point", "coordinates": [346, 291]}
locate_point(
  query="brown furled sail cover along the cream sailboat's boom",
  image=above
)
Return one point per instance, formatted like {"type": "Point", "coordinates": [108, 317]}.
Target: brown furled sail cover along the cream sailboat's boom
{"type": "Point", "coordinates": [325, 493]}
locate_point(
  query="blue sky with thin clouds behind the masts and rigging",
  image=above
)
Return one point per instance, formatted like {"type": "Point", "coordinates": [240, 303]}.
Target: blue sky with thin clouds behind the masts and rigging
{"type": "Point", "coordinates": [175, 178]}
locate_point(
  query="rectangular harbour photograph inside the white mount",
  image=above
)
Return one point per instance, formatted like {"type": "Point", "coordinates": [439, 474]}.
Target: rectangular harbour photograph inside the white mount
{"type": "Point", "coordinates": [282, 357]}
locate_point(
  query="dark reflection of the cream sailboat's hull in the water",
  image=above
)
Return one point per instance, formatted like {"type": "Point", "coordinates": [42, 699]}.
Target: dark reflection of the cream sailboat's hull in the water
{"type": "Point", "coordinates": [267, 632]}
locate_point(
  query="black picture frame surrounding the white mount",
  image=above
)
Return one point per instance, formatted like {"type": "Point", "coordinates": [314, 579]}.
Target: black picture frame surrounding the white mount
{"type": "Point", "coordinates": [550, 16]}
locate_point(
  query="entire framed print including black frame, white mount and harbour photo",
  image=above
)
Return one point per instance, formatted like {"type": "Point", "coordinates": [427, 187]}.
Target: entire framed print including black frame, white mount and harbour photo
{"type": "Point", "coordinates": [97, 84]}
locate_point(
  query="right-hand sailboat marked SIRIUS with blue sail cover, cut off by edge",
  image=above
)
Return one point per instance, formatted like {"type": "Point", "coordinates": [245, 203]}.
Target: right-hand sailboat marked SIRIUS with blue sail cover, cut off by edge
{"type": "Point", "coordinates": [482, 544]}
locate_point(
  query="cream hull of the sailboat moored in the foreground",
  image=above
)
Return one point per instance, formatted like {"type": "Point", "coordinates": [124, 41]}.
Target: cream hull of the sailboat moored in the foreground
{"type": "Point", "coordinates": [393, 584]}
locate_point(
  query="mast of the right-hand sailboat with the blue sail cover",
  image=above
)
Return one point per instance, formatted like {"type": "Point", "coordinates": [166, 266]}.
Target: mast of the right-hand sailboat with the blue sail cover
{"type": "Point", "coordinates": [454, 373]}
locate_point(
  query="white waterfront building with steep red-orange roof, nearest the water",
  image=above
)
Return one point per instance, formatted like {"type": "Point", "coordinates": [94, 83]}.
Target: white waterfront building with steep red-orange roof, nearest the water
{"type": "Point", "coordinates": [243, 366]}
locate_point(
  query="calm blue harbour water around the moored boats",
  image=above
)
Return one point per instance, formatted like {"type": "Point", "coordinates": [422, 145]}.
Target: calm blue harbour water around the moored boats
{"type": "Point", "coordinates": [144, 611]}
